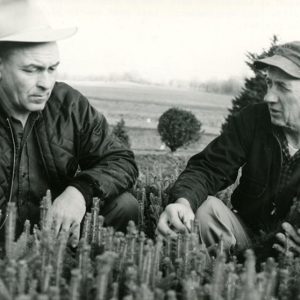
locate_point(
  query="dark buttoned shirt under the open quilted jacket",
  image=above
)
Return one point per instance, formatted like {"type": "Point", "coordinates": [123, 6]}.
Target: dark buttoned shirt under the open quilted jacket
{"type": "Point", "coordinates": [30, 180]}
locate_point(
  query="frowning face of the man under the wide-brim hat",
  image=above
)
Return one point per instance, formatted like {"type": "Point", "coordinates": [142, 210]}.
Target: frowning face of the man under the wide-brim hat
{"type": "Point", "coordinates": [27, 76]}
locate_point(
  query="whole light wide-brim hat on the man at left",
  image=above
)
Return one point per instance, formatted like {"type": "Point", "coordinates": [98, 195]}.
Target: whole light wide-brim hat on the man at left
{"type": "Point", "coordinates": [24, 21]}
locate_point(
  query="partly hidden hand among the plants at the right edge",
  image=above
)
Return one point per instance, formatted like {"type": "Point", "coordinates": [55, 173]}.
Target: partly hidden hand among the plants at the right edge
{"type": "Point", "coordinates": [290, 241]}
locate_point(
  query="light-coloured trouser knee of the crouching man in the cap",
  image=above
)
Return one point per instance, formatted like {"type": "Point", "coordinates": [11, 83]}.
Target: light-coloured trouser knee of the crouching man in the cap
{"type": "Point", "coordinates": [215, 220]}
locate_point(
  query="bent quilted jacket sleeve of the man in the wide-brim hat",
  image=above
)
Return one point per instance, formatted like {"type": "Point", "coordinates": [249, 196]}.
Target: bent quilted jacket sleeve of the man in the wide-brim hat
{"type": "Point", "coordinates": [106, 165]}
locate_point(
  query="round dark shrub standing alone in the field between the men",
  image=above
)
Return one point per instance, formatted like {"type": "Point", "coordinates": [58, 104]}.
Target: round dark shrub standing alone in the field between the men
{"type": "Point", "coordinates": [178, 127]}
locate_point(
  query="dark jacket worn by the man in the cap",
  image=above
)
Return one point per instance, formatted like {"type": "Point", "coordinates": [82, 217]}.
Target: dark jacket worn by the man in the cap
{"type": "Point", "coordinates": [248, 142]}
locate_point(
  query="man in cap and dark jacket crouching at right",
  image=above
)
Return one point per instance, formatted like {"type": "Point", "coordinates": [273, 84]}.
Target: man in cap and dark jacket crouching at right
{"type": "Point", "coordinates": [263, 140]}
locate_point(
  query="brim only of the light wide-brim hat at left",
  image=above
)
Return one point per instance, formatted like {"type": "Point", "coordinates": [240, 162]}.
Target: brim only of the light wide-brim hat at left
{"type": "Point", "coordinates": [40, 35]}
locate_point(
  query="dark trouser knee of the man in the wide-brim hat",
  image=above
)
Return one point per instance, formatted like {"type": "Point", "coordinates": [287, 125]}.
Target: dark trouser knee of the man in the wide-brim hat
{"type": "Point", "coordinates": [119, 211]}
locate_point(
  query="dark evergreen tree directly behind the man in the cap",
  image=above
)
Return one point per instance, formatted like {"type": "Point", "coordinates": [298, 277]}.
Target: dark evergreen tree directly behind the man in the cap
{"type": "Point", "coordinates": [255, 87]}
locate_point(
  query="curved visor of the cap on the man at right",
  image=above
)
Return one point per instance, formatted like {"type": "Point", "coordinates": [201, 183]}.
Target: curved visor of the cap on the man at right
{"type": "Point", "coordinates": [280, 62]}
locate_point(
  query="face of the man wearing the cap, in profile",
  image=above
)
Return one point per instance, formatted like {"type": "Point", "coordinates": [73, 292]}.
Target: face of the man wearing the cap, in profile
{"type": "Point", "coordinates": [283, 98]}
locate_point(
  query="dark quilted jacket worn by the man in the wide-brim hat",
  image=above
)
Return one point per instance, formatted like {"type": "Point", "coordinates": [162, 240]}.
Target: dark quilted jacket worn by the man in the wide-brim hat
{"type": "Point", "coordinates": [71, 133]}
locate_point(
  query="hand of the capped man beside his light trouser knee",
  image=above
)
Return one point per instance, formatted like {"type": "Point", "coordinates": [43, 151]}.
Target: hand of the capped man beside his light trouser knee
{"type": "Point", "coordinates": [176, 217]}
